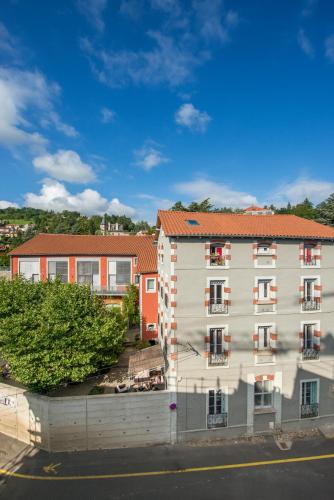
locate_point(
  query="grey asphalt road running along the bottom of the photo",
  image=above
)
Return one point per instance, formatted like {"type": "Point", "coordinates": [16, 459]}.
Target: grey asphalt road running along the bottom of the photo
{"type": "Point", "coordinates": [285, 480]}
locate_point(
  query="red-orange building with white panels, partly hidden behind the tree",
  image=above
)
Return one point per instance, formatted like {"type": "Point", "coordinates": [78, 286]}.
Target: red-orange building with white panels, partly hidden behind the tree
{"type": "Point", "coordinates": [108, 264]}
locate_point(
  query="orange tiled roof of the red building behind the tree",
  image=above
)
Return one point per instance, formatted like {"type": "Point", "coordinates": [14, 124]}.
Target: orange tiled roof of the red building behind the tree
{"type": "Point", "coordinates": [90, 245]}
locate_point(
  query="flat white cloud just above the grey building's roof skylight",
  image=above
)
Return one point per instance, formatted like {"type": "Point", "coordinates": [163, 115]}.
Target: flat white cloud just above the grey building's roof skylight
{"type": "Point", "coordinates": [220, 195]}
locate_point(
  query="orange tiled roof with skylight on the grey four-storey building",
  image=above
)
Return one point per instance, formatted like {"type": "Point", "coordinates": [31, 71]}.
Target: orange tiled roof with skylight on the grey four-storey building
{"type": "Point", "coordinates": [222, 224]}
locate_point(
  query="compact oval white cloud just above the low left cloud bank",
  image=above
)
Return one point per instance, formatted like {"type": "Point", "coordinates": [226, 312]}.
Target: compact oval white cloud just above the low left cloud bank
{"type": "Point", "coordinates": [65, 165]}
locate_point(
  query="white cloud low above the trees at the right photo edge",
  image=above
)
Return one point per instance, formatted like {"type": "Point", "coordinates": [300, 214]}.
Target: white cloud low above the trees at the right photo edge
{"type": "Point", "coordinates": [301, 188]}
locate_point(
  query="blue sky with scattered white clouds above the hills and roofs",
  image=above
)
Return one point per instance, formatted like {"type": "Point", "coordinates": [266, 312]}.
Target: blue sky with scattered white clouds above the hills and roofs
{"type": "Point", "coordinates": [126, 106]}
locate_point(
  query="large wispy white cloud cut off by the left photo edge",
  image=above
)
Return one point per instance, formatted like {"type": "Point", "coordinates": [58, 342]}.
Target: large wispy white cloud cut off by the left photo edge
{"type": "Point", "coordinates": [24, 93]}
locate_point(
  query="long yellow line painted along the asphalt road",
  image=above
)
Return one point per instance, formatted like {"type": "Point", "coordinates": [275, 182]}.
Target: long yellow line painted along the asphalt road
{"type": "Point", "coordinates": [209, 468]}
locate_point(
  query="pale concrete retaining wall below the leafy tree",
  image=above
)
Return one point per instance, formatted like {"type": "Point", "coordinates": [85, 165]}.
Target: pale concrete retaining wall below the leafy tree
{"type": "Point", "coordinates": [86, 422]}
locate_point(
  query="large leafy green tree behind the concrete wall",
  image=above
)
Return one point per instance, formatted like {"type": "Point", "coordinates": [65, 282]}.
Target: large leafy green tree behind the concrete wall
{"type": "Point", "coordinates": [51, 333]}
